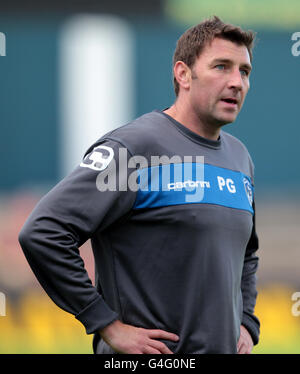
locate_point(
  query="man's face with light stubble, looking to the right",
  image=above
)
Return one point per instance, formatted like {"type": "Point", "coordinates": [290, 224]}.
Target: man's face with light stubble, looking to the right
{"type": "Point", "coordinates": [219, 82]}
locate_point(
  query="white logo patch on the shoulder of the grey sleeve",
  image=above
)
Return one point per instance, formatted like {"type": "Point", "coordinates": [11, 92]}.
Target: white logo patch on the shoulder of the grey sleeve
{"type": "Point", "coordinates": [98, 159]}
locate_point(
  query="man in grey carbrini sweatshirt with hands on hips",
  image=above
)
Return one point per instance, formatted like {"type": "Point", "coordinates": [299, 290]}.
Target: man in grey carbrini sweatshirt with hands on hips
{"type": "Point", "coordinates": [175, 257]}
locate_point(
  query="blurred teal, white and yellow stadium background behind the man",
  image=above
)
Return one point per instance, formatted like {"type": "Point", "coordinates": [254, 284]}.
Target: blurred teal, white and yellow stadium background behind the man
{"type": "Point", "coordinates": [72, 70]}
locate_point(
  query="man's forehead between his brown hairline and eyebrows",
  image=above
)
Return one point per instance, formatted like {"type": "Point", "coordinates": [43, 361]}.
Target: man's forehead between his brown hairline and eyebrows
{"type": "Point", "coordinates": [225, 49]}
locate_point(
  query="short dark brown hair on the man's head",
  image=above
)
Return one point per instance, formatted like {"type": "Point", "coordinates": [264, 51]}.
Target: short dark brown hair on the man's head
{"type": "Point", "coordinates": [190, 45]}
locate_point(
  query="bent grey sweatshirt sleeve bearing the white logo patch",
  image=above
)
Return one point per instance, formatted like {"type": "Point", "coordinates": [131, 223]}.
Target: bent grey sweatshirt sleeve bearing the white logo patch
{"type": "Point", "coordinates": [65, 218]}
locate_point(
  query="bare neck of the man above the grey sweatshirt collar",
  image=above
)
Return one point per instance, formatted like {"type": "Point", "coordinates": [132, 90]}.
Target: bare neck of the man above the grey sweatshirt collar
{"type": "Point", "coordinates": [192, 122]}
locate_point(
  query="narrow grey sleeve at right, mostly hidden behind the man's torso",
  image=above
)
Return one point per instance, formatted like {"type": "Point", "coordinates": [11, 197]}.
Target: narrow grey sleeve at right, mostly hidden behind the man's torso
{"type": "Point", "coordinates": [248, 285]}
